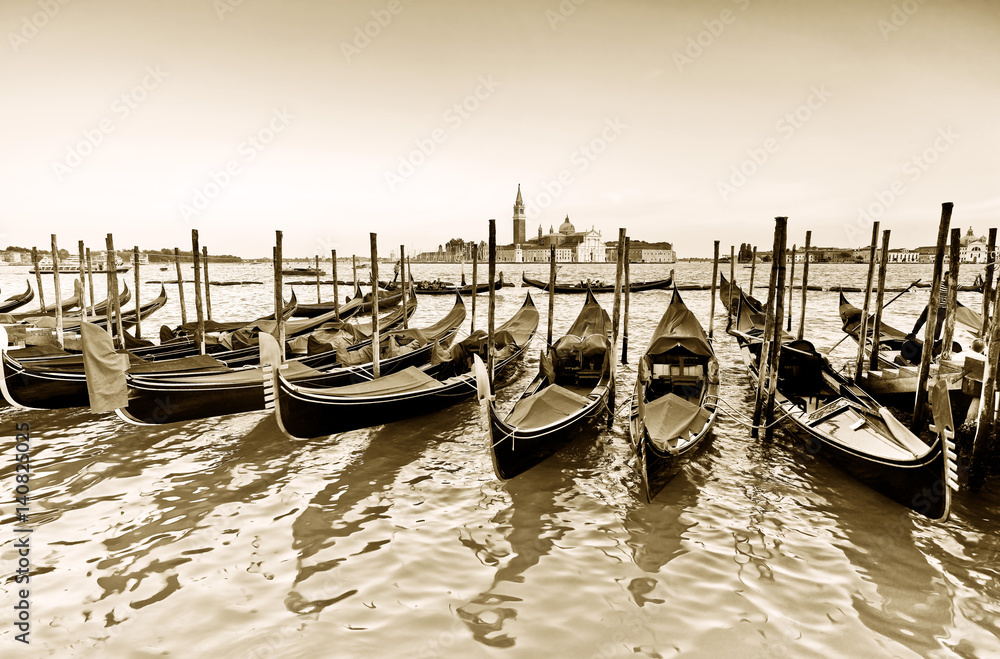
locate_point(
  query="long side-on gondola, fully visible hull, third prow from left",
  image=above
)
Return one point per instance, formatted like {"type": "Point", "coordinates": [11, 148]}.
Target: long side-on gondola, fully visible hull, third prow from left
{"type": "Point", "coordinates": [314, 408]}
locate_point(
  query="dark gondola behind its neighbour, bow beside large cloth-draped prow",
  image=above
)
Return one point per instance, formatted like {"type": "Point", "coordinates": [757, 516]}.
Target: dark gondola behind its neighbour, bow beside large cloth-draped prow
{"type": "Point", "coordinates": [165, 398]}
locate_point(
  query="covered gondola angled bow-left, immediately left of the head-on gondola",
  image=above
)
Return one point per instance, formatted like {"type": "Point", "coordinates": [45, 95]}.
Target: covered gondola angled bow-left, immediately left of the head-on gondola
{"type": "Point", "coordinates": [575, 387]}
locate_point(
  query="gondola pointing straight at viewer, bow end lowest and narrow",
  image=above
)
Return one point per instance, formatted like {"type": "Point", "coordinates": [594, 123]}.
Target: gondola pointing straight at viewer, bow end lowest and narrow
{"type": "Point", "coordinates": [676, 396]}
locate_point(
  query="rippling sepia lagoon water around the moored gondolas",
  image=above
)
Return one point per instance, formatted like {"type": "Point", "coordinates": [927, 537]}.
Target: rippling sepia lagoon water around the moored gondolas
{"type": "Point", "coordinates": [224, 538]}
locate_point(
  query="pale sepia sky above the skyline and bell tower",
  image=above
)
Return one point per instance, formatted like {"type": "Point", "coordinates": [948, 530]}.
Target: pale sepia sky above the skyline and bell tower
{"type": "Point", "coordinates": [683, 121]}
